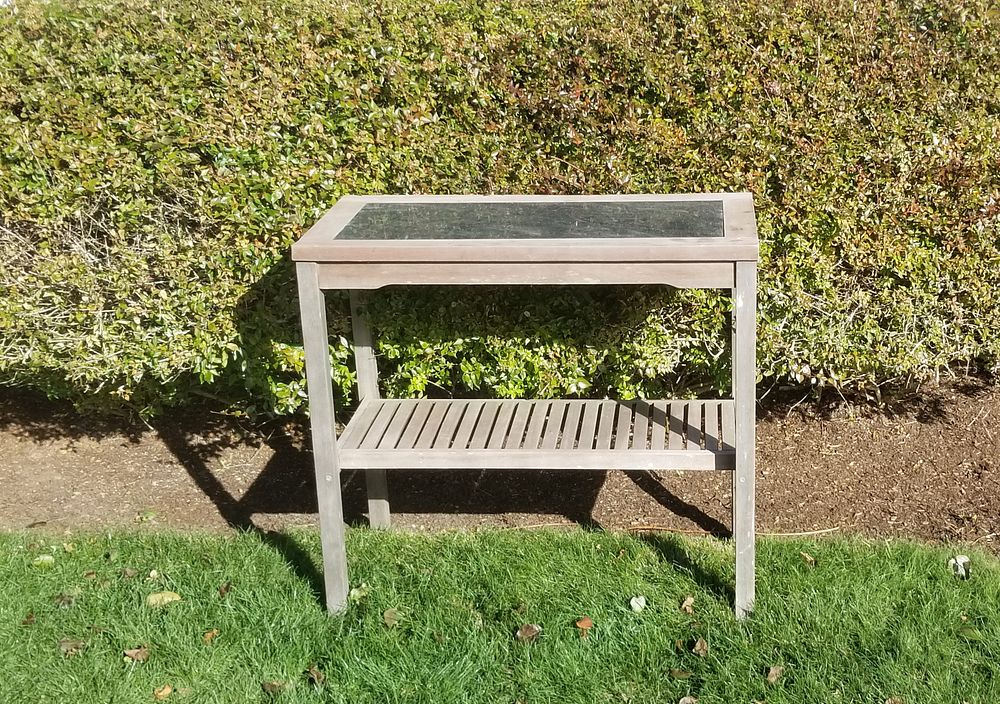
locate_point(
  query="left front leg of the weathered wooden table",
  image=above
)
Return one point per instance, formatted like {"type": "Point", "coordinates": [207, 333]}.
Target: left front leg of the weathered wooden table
{"type": "Point", "coordinates": [315, 335]}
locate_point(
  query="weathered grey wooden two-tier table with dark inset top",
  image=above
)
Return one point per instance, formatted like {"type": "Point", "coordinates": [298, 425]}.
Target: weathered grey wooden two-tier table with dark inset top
{"type": "Point", "coordinates": [692, 240]}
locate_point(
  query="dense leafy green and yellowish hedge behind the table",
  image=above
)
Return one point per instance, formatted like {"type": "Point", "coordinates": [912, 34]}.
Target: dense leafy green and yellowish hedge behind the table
{"type": "Point", "coordinates": [157, 158]}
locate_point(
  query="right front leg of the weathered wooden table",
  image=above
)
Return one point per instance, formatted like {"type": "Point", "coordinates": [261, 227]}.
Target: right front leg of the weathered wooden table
{"type": "Point", "coordinates": [744, 393]}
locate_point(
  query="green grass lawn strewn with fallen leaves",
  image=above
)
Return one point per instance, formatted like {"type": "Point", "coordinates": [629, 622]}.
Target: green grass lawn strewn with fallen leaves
{"type": "Point", "coordinates": [869, 622]}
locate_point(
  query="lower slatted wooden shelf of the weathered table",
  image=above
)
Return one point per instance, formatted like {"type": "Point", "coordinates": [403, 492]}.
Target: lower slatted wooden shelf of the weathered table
{"type": "Point", "coordinates": [540, 434]}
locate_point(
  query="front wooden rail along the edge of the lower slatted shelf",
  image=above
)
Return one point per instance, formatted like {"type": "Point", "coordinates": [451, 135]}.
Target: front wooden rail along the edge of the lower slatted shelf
{"type": "Point", "coordinates": [600, 460]}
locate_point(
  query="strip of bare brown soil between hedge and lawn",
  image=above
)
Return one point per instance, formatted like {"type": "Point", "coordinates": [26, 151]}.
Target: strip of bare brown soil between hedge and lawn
{"type": "Point", "coordinates": [926, 465]}
